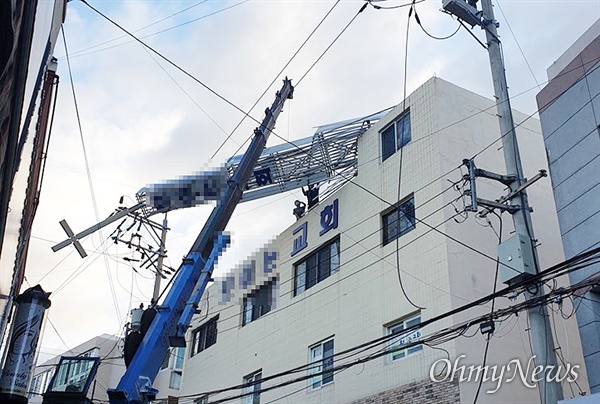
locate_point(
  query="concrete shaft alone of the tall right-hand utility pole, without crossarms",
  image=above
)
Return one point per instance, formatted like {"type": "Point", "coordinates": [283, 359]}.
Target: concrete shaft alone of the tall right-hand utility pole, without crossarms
{"type": "Point", "coordinates": [540, 329]}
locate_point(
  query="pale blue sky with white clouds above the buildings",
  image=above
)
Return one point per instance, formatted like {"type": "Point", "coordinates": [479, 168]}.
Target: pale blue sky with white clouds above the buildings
{"type": "Point", "coordinates": [144, 121]}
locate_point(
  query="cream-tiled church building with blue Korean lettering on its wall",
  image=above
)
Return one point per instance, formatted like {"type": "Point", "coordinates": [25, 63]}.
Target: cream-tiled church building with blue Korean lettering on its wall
{"type": "Point", "coordinates": [330, 311]}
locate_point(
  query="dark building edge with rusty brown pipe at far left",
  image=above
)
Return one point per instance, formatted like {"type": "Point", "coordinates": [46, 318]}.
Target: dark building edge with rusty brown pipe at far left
{"type": "Point", "coordinates": [28, 82]}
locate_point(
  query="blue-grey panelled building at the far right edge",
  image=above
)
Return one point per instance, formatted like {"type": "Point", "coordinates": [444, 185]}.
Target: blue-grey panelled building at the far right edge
{"type": "Point", "coordinates": [570, 117]}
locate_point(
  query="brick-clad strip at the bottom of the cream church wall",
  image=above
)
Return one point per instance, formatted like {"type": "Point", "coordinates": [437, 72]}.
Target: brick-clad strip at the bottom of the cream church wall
{"type": "Point", "coordinates": [424, 391]}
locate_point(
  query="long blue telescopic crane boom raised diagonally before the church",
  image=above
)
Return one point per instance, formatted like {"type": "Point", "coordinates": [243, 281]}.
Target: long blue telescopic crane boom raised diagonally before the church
{"type": "Point", "coordinates": [175, 313]}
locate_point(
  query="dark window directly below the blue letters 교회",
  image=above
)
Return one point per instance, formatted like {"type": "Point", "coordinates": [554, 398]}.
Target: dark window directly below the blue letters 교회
{"type": "Point", "coordinates": [317, 266]}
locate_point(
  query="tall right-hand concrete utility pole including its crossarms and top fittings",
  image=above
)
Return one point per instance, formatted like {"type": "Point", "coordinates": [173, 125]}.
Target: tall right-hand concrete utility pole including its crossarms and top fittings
{"type": "Point", "coordinates": [540, 328]}
